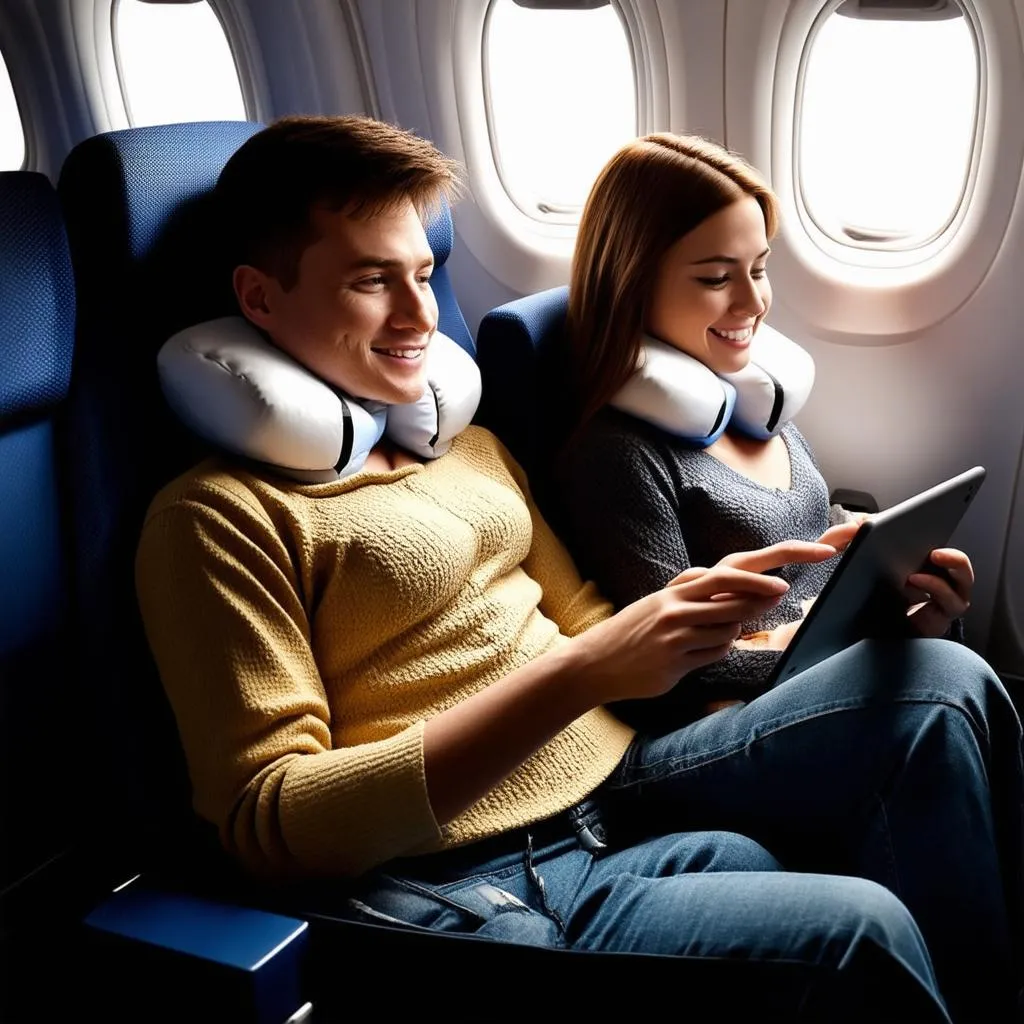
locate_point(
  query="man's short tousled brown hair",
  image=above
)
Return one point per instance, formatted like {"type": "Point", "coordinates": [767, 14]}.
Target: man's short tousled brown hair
{"type": "Point", "coordinates": [271, 186]}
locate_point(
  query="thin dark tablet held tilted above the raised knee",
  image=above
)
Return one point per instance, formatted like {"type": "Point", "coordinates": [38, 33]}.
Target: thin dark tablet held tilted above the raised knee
{"type": "Point", "coordinates": [864, 596]}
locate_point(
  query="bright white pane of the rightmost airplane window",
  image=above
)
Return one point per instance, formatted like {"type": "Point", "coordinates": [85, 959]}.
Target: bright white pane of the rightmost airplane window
{"type": "Point", "coordinates": [886, 125]}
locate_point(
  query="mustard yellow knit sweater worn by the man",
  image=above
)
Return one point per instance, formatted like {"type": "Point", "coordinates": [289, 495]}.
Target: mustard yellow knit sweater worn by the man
{"type": "Point", "coordinates": [305, 633]}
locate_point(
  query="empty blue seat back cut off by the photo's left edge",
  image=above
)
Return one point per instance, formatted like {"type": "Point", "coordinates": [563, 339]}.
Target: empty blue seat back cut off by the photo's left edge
{"type": "Point", "coordinates": [39, 686]}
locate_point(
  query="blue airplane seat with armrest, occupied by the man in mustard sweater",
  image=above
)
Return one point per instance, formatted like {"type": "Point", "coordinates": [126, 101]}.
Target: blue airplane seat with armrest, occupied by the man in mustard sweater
{"type": "Point", "coordinates": [144, 245]}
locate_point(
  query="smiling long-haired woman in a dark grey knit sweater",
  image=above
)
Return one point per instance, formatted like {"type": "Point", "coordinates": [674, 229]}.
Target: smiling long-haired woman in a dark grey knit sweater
{"type": "Point", "coordinates": [688, 269]}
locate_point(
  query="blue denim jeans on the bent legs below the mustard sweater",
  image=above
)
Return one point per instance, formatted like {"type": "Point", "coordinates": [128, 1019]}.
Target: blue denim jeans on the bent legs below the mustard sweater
{"type": "Point", "coordinates": [856, 834]}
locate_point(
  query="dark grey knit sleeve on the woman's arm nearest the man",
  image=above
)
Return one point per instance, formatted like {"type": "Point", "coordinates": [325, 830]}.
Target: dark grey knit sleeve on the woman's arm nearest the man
{"type": "Point", "coordinates": [628, 532]}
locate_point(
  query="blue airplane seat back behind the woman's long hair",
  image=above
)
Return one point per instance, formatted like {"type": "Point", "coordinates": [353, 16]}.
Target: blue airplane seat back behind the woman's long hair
{"type": "Point", "coordinates": [521, 354]}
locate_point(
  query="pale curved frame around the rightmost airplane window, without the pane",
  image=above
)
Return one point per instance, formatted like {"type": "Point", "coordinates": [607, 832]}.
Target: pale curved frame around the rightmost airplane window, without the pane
{"type": "Point", "coordinates": [844, 297]}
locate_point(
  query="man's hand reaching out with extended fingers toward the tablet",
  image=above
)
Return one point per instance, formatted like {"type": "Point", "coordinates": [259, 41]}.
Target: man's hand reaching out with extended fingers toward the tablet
{"type": "Point", "coordinates": [647, 648]}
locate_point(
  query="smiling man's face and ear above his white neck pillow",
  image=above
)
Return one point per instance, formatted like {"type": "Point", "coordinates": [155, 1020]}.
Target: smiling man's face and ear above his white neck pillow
{"type": "Point", "coordinates": [362, 313]}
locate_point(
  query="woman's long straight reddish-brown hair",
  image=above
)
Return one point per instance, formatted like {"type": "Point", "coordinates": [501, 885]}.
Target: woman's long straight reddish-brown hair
{"type": "Point", "coordinates": [651, 194]}
